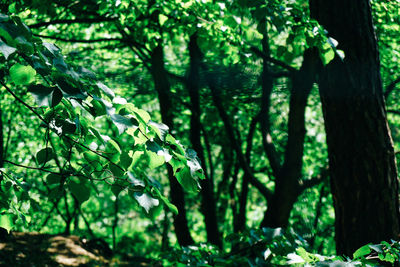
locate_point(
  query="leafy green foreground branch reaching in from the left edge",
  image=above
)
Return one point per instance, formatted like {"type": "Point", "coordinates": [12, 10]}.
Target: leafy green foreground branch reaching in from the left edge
{"type": "Point", "coordinates": [69, 103]}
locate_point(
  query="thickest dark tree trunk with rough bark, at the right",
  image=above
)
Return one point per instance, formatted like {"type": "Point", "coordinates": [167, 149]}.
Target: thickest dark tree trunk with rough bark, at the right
{"type": "Point", "coordinates": [361, 156]}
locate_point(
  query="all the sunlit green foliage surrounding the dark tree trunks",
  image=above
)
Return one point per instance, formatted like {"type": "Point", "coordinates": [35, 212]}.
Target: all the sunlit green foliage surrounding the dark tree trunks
{"type": "Point", "coordinates": [81, 158]}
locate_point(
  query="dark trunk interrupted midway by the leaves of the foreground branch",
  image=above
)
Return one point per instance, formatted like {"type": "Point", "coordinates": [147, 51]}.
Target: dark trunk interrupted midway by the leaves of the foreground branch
{"type": "Point", "coordinates": [162, 87]}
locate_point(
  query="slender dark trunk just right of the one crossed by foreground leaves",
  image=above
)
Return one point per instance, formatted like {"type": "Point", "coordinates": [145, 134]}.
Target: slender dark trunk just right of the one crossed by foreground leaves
{"type": "Point", "coordinates": [208, 202]}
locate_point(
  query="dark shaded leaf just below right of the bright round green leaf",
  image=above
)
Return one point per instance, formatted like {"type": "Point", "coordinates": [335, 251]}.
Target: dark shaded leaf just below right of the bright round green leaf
{"type": "Point", "coordinates": [45, 96]}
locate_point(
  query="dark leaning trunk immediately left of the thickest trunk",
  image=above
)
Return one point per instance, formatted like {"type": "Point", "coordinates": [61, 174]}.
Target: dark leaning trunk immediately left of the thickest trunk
{"type": "Point", "coordinates": [287, 188]}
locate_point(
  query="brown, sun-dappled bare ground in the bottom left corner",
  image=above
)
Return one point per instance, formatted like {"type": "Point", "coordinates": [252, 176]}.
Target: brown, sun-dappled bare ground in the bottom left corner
{"type": "Point", "coordinates": [35, 249]}
